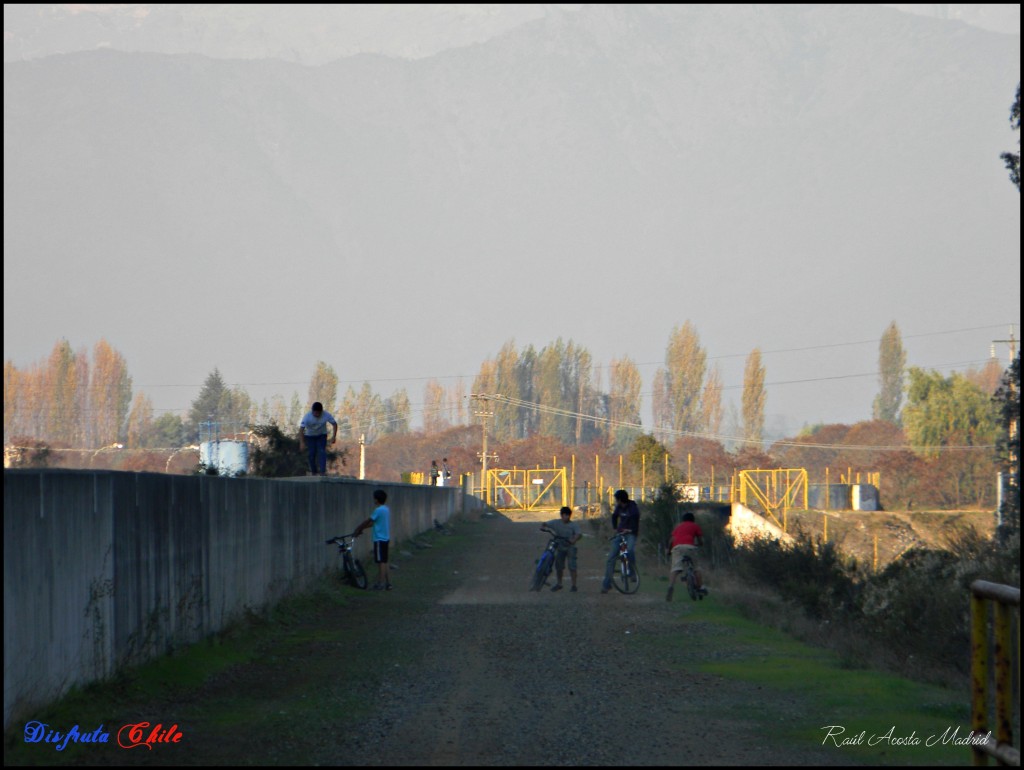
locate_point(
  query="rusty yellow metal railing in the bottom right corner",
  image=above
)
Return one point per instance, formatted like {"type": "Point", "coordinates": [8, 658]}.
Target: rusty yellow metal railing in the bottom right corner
{"type": "Point", "coordinates": [993, 637]}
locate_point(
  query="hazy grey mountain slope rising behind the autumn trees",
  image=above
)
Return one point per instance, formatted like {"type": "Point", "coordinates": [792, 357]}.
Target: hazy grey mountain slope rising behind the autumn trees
{"type": "Point", "coordinates": [763, 170]}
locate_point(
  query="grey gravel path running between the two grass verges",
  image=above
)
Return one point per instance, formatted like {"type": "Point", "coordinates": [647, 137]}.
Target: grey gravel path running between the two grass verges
{"type": "Point", "coordinates": [522, 678]}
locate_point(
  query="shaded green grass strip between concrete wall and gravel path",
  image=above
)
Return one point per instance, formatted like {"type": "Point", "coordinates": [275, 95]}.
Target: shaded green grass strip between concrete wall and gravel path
{"type": "Point", "coordinates": [216, 690]}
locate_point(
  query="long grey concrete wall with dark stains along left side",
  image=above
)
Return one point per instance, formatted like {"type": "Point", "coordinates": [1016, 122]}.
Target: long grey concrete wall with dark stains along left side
{"type": "Point", "coordinates": [105, 570]}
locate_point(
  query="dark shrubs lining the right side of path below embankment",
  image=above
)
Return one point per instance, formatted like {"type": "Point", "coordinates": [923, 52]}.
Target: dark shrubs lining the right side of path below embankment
{"type": "Point", "coordinates": [914, 616]}
